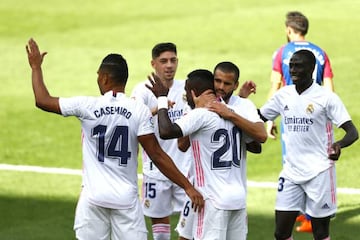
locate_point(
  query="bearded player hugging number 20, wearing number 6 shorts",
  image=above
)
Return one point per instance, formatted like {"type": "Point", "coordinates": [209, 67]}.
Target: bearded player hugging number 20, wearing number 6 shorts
{"type": "Point", "coordinates": [226, 81]}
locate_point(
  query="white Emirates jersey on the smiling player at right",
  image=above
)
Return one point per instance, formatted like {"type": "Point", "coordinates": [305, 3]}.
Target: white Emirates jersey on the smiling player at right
{"type": "Point", "coordinates": [306, 130]}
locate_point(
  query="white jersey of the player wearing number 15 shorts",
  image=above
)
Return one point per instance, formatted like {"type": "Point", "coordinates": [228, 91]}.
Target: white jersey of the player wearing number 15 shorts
{"type": "Point", "coordinates": [170, 146]}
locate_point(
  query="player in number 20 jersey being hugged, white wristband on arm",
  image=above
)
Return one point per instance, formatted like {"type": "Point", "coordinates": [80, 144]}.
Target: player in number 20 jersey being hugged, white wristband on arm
{"type": "Point", "coordinates": [216, 147]}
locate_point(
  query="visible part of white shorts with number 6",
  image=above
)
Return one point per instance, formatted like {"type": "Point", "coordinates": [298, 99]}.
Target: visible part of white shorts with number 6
{"type": "Point", "coordinates": [186, 221]}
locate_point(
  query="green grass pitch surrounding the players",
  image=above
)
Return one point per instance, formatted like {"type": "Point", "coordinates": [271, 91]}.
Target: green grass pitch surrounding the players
{"type": "Point", "coordinates": [78, 34]}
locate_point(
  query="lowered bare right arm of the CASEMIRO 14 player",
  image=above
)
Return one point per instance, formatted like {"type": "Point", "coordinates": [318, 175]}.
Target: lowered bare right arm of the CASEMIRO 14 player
{"type": "Point", "coordinates": [169, 169]}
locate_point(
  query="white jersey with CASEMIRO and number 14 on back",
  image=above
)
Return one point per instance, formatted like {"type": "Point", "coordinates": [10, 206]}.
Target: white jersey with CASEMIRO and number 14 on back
{"type": "Point", "coordinates": [110, 126]}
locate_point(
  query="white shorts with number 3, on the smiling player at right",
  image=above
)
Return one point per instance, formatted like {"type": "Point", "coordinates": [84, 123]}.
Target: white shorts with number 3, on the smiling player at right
{"type": "Point", "coordinates": [316, 197]}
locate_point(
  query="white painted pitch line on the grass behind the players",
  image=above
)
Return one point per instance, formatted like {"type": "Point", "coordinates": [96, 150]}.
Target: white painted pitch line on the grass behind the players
{"type": "Point", "coordinates": [68, 171]}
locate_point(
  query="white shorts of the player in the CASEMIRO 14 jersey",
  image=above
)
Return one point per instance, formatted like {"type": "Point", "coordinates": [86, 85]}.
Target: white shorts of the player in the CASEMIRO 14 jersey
{"type": "Point", "coordinates": [98, 223]}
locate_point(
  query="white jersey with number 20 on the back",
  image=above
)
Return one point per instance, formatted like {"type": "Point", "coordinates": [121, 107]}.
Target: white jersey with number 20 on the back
{"type": "Point", "coordinates": [215, 150]}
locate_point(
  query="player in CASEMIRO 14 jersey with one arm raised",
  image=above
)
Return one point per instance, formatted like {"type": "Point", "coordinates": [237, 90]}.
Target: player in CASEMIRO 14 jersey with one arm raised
{"type": "Point", "coordinates": [112, 127]}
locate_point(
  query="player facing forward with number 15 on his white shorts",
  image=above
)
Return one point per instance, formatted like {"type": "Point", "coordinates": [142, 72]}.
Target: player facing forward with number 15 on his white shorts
{"type": "Point", "coordinates": [162, 197]}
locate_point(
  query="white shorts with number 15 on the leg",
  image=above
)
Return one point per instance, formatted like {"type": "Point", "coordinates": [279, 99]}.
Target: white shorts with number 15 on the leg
{"type": "Point", "coordinates": [161, 198]}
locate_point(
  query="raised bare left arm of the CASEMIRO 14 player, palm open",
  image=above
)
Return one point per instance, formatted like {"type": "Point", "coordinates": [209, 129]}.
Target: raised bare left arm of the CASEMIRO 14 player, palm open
{"type": "Point", "coordinates": [43, 100]}
